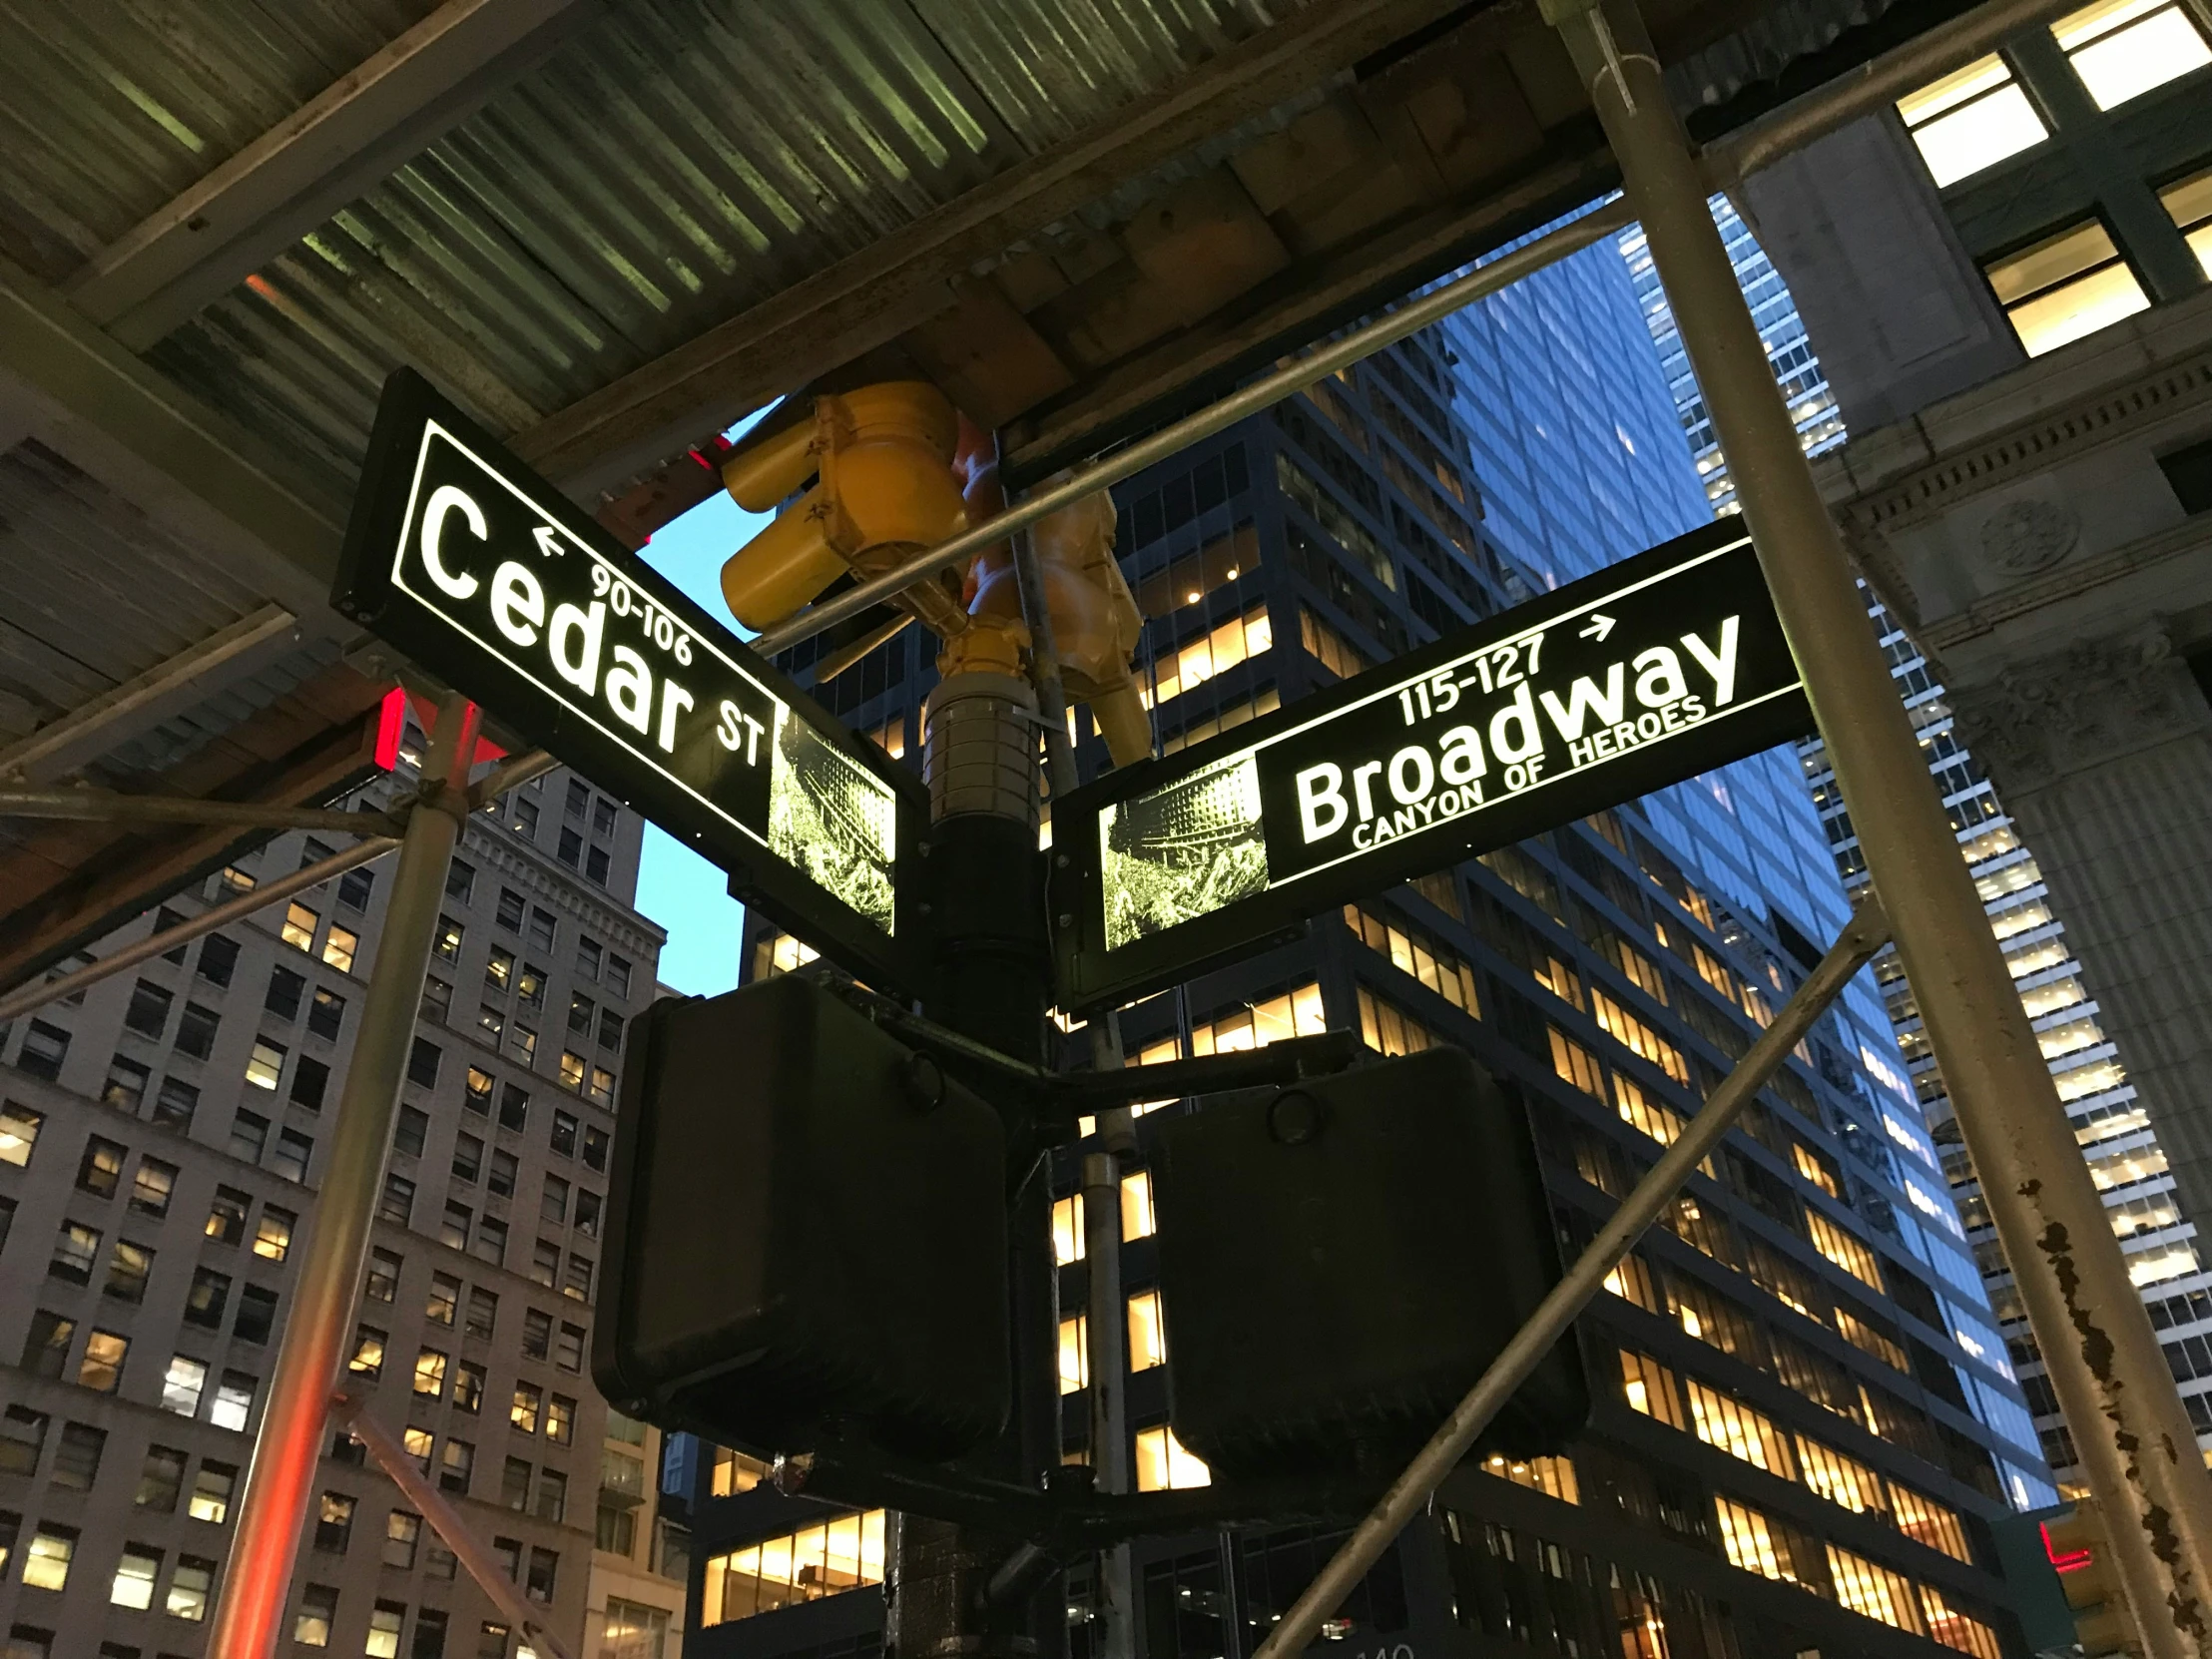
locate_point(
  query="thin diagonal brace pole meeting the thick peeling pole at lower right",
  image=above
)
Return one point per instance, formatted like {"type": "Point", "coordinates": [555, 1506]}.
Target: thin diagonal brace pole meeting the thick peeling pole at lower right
{"type": "Point", "coordinates": [1406, 1499]}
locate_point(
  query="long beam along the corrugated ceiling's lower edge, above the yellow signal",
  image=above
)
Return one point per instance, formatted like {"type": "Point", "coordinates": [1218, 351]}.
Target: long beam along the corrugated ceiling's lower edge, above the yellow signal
{"type": "Point", "coordinates": [899, 282]}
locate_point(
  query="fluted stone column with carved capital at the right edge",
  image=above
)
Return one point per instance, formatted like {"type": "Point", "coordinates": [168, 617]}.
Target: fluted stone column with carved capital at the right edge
{"type": "Point", "coordinates": [2103, 753]}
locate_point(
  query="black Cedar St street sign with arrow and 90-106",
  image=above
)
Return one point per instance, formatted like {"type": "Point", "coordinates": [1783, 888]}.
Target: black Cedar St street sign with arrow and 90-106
{"type": "Point", "coordinates": [494, 581]}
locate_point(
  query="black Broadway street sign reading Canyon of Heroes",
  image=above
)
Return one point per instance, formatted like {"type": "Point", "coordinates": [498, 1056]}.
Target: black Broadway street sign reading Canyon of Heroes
{"type": "Point", "coordinates": [1614, 687]}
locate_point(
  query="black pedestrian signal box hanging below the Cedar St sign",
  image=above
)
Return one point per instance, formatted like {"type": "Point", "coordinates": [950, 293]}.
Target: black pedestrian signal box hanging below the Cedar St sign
{"type": "Point", "coordinates": [808, 1231]}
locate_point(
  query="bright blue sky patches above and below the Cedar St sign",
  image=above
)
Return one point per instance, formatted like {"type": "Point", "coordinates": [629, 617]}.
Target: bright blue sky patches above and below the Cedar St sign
{"type": "Point", "coordinates": [678, 888]}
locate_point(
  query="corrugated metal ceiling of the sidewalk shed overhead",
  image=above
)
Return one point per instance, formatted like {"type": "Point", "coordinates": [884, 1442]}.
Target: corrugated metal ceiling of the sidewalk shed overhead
{"type": "Point", "coordinates": [667, 169]}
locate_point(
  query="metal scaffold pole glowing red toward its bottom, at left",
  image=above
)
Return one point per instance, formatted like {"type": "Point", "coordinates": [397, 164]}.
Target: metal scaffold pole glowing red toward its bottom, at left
{"type": "Point", "coordinates": [291, 1441]}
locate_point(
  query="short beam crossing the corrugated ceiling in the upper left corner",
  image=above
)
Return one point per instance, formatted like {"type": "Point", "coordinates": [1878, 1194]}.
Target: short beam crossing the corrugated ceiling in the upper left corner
{"type": "Point", "coordinates": [328, 152]}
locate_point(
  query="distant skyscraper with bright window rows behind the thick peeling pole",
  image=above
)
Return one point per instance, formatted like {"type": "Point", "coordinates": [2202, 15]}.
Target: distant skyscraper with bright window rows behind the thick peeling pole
{"type": "Point", "coordinates": [2114, 1129]}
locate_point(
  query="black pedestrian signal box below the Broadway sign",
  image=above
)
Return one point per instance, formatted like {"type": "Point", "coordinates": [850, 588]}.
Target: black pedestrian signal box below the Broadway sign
{"type": "Point", "coordinates": [1339, 1262]}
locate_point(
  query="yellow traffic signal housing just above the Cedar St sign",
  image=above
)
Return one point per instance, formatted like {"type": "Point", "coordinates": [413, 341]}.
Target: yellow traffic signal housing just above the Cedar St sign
{"type": "Point", "coordinates": [886, 488]}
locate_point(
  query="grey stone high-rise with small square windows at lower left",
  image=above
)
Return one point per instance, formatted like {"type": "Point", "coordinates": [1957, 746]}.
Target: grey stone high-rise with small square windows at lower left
{"type": "Point", "coordinates": [160, 1154]}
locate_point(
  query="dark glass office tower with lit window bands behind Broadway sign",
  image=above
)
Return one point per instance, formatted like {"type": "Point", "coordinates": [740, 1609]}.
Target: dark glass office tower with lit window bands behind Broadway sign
{"type": "Point", "coordinates": [1804, 1412]}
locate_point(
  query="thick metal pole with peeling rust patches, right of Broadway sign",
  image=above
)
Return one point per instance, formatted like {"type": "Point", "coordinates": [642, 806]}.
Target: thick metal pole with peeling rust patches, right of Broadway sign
{"type": "Point", "coordinates": [2138, 1446]}
